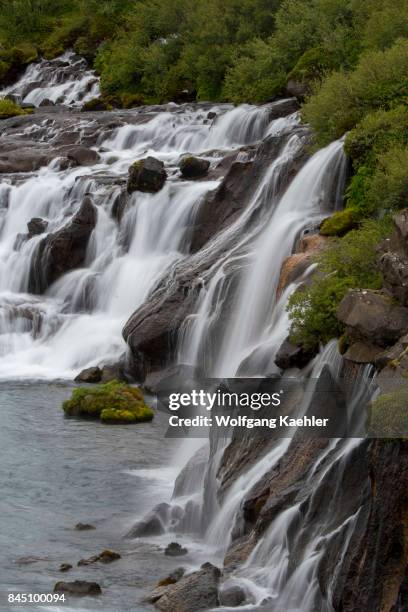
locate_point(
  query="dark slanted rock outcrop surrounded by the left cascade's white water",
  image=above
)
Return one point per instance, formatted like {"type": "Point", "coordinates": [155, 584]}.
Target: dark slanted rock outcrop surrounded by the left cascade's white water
{"type": "Point", "coordinates": [63, 250]}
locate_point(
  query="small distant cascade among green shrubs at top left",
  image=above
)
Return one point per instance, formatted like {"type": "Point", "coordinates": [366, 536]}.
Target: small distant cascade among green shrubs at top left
{"type": "Point", "coordinates": [65, 80]}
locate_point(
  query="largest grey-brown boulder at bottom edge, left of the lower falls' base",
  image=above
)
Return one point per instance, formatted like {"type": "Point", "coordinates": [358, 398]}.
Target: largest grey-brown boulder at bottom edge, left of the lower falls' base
{"type": "Point", "coordinates": [197, 591]}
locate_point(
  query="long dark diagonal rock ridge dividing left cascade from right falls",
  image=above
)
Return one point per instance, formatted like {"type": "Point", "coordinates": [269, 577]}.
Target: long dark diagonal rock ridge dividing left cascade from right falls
{"type": "Point", "coordinates": [151, 332]}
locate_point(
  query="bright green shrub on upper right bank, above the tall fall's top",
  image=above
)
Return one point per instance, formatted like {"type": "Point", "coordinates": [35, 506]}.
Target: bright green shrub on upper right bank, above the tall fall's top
{"type": "Point", "coordinates": [379, 81]}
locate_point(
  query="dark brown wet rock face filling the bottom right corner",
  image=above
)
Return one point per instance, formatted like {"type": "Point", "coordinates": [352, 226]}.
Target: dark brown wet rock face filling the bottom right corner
{"type": "Point", "coordinates": [374, 572]}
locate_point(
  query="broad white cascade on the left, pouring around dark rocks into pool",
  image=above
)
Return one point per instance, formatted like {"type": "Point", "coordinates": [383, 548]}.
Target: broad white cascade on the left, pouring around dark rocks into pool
{"type": "Point", "coordinates": [79, 320]}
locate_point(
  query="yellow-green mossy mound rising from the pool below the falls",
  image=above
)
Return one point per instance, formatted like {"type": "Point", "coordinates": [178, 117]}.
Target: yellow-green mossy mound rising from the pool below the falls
{"type": "Point", "coordinates": [112, 403]}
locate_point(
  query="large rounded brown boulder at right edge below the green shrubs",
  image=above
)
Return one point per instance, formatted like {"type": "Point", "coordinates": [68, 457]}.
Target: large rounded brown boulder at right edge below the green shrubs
{"type": "Point", "coordinates": [372, 316]}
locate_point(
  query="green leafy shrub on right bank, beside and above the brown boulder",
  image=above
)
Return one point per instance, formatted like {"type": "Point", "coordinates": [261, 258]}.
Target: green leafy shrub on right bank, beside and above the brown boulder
{"type": "Point", "coordinates": [346, 263]}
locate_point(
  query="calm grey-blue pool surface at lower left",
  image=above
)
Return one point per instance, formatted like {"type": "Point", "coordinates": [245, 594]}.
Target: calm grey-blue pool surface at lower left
{"type": "Point", "coordinates": [56, 472]}
